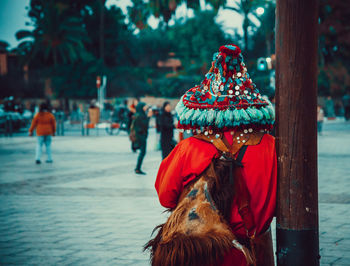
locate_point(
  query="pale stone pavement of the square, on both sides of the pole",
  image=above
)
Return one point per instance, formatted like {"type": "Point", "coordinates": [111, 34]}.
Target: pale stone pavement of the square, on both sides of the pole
{"type": "Point", "coordinates": [89, 208]}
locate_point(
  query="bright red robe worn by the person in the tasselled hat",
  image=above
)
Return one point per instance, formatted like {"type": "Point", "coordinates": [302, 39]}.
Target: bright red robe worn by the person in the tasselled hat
{"type": "Point", "coordinates": [192, 156]}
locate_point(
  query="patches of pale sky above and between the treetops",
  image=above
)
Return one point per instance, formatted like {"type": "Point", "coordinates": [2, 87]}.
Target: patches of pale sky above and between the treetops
{"type": "Point", "coordinates": [13, 17]}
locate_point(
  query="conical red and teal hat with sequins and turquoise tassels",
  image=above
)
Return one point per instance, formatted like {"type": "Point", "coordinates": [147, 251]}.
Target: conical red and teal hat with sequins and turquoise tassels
{"type": "Point", "coordinates": [226, 99]}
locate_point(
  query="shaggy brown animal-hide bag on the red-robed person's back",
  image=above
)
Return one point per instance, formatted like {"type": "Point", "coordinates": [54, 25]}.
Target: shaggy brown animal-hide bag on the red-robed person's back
{"type": "Point", "coordinates": [197, 232]}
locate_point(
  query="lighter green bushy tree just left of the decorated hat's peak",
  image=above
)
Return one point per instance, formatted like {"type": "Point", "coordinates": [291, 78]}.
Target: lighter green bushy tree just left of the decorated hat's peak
{"type": "Point", "coordinates": [192, 41]}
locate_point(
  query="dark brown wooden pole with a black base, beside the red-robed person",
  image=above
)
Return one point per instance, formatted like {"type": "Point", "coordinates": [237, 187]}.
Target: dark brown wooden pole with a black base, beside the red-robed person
{"type": "Point", "coordinates": [296, 98]}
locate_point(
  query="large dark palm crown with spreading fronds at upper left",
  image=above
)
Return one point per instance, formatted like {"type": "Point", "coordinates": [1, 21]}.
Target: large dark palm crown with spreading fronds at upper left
{"type": "Point", "coordinates": [56, 38]}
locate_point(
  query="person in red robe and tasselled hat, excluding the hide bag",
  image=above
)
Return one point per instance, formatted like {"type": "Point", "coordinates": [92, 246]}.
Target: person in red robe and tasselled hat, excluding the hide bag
{"type": "Point", "coordinates": [228, 106]}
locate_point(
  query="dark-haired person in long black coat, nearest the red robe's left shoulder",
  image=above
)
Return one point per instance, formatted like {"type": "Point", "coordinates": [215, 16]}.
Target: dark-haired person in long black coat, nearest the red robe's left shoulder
{"type": "Point", "coordinates": [166, 126]}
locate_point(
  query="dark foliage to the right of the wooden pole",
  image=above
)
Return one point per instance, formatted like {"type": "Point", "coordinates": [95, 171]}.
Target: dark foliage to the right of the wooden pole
{"type": "Point", "coordinates": [334, 47]}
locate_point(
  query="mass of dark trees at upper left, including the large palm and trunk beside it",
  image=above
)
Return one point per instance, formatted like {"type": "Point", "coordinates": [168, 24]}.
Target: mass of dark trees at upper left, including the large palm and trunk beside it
{"type": "Point", "coordinates": [65, 42]}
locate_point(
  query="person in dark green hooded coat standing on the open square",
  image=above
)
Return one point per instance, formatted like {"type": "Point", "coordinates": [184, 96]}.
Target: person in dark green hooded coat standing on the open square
{"type": "Point", "coordinates": [140, 128]}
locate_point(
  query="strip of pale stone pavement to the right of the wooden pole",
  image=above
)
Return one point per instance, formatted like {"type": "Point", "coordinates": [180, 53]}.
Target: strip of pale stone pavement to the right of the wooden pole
{"type": "Point", "coordinates": [334, 193]}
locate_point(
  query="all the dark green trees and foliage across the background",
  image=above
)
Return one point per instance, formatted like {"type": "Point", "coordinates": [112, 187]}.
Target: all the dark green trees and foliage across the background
{"type": "Point", "coordinates": [74, 41]}
